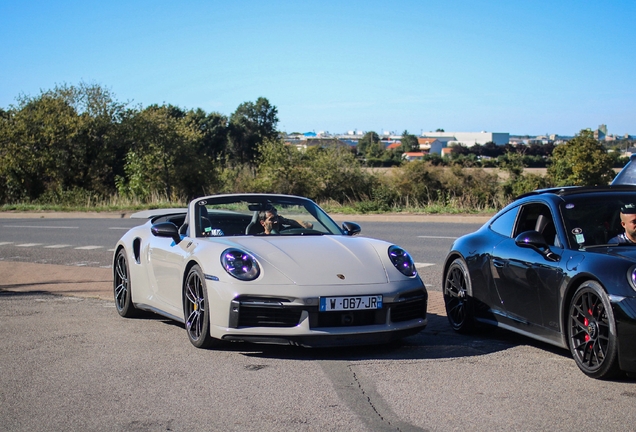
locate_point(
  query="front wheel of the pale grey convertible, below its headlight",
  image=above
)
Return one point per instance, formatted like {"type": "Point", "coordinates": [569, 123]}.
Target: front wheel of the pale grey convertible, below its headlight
{"type": "Point", "coordinates": [195, 309]}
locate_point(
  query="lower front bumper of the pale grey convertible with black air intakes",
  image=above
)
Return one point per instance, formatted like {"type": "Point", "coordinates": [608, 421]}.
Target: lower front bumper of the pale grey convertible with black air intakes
{"type": "Point", "coordinates": [280, 321]}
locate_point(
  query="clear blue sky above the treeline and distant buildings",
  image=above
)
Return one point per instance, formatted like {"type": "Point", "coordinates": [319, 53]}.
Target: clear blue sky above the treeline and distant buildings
{"type": "Point", "coordinates": [522, 67]}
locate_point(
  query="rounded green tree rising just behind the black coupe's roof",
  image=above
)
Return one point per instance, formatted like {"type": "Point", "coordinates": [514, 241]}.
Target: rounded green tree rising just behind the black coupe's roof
{"type": "Point", "coordinates": [582, 161]}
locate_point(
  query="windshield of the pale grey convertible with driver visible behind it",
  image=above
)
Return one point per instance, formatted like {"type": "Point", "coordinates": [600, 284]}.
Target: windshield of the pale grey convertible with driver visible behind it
{"type": "Point", "coordinates": [261, 215]}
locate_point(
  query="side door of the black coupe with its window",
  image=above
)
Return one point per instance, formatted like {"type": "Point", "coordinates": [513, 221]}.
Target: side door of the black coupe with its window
{"type": "Point", "coordinates": [526, 279]}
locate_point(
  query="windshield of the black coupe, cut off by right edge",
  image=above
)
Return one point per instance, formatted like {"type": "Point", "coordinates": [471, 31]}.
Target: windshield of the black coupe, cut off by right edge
{"type": "Point", "coordinates": [594, 219]}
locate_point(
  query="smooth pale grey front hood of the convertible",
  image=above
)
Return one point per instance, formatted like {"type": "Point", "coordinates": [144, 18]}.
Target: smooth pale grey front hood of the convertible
{"type": "Point", "coordinates": [318, 260]}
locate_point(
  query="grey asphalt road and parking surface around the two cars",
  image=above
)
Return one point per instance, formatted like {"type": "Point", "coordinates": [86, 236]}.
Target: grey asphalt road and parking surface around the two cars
{"type": "Point", "coordinates": [71, 363]}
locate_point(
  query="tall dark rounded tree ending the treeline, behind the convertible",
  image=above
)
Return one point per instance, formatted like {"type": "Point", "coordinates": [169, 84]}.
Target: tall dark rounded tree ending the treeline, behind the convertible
{"type": "Point", "coordinates": [250, 125]}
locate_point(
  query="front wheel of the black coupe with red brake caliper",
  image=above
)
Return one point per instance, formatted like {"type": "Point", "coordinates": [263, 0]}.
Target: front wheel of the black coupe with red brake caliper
{"type": "Point", "coordinates": [592, 332]}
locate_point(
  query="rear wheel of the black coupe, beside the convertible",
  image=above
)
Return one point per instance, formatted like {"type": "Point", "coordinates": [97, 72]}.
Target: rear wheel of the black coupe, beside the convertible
{"type": "Point", "coordinates": [457, 297]}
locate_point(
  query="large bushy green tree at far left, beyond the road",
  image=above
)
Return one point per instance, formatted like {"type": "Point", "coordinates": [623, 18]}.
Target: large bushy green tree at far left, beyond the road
{"type": "Point", "coordinates": [61, 140]}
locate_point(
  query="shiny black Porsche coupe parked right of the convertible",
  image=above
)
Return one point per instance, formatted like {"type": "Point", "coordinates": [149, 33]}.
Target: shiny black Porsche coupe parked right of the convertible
{"type": "Point", "coordinates": [545, 266]}
